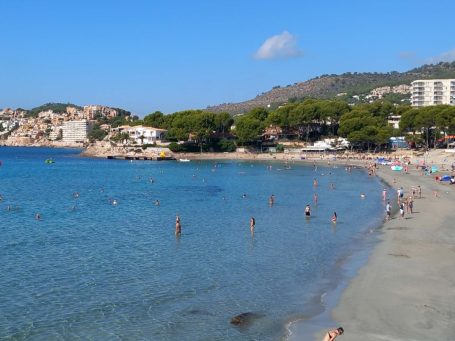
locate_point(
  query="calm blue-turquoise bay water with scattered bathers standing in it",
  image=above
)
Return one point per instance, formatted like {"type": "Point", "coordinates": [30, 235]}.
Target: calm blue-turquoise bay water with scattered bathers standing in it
{"type": "Point", "coordinates": [93, 270]}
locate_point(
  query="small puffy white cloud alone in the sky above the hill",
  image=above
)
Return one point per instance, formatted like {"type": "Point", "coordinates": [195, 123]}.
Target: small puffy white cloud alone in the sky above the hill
{"type": "Point", "coordinates": [283, 45]}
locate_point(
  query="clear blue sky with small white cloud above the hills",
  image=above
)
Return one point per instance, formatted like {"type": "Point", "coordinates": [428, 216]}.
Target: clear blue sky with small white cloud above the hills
{"type": "Point", "coordinates": [173, 55]}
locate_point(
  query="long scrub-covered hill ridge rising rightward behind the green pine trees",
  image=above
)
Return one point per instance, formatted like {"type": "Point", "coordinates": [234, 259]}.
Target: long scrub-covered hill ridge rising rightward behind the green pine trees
{"type": "Point", "coordinates": [328, 86]}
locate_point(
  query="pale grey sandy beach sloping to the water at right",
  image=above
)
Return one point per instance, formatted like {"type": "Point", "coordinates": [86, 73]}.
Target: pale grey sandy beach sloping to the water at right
{"type": "Point", "coordinates": [407, 289]}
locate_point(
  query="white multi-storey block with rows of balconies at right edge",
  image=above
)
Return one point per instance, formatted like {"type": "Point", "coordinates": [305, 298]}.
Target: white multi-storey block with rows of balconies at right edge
{"type": "Point", "coordinates": [432, 92]}
